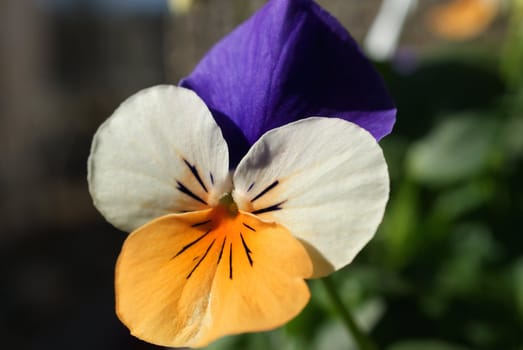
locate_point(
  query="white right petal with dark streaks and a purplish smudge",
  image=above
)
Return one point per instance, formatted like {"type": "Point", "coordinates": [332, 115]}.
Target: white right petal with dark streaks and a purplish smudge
{"type": "Point", "coordinates": [325, 179]}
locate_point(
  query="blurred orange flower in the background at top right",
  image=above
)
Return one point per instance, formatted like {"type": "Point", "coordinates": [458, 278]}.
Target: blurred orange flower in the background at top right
{"type": "Point", "coordinates": [462, 19]}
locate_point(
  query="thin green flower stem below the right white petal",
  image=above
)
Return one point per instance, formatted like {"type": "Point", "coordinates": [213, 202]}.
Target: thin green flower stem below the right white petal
{"type": "Point", "coordinates": [360, 338]}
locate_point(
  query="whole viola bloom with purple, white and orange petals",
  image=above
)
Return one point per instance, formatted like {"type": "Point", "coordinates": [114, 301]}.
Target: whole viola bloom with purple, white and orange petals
{"type": "Point", "coordinates": [260, 171]}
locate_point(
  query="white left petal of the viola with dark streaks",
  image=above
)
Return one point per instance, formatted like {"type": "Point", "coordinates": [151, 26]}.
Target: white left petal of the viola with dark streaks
{"type": "Point", "coordinates": [160, 152]}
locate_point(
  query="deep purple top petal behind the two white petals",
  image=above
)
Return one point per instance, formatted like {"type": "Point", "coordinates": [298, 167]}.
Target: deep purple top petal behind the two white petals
{"type": "Point", "coordinates": [289, 61]}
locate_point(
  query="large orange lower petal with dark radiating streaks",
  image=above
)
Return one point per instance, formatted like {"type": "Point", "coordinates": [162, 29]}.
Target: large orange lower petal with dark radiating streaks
{"type": "Point", "coordinates": [188, 279]}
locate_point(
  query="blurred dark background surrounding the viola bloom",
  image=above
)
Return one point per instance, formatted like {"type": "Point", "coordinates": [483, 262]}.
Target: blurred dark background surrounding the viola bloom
{"type": "Point", "coordinates": [446, 268]}
